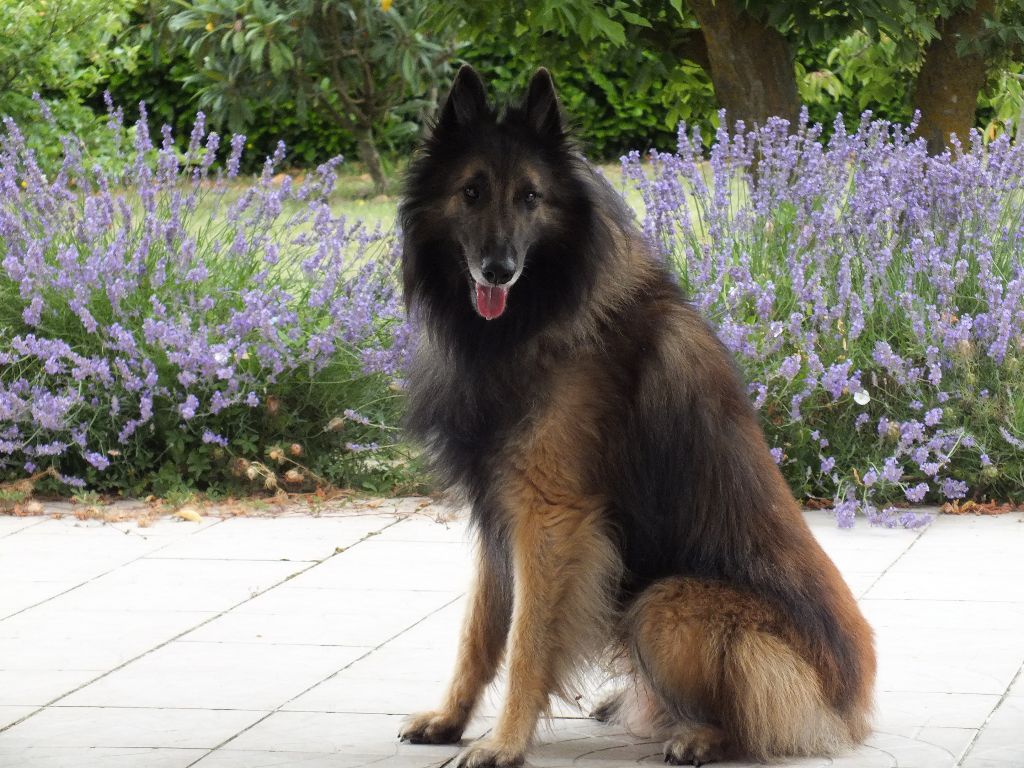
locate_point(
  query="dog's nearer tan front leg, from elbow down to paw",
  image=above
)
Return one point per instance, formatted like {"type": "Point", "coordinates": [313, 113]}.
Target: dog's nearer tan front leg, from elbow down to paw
{"type": "Point", "coordinates": [565, 570]}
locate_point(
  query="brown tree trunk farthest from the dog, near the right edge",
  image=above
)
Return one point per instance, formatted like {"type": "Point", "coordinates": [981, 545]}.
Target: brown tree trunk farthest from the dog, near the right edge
{"type": "Point", "coordinates": [949, 84]}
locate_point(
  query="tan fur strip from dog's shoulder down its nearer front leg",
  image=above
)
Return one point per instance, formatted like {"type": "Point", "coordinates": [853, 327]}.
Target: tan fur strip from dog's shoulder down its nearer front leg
{"type": "Point", "coordinates": [566, 568]}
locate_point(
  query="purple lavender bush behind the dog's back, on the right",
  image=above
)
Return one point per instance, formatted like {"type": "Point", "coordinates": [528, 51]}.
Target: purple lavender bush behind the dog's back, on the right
{"type": "Point", "coordinates": [874, 296]}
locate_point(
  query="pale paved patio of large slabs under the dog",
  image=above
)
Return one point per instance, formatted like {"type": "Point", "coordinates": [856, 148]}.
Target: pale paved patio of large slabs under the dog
{"type": "Point", "coordinates": [304, 642]}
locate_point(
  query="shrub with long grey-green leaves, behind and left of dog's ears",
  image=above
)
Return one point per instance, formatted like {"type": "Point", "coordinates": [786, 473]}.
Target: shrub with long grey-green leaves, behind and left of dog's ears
{"type": "Point", "coordinates": [371, 70]}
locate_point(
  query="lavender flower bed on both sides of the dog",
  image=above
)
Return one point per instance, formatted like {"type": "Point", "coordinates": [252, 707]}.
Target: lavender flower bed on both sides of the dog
{"type": "Point", "coordinates": [165, 330]}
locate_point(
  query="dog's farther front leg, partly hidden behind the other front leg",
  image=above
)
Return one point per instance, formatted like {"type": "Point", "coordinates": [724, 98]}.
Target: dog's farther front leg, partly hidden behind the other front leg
{"type": "Point", "coordinates": [484, 634]}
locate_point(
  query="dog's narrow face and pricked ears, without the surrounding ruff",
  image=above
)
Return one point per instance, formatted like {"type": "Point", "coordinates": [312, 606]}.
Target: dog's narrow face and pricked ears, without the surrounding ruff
{"type": "Point", "coordinates": [500, 198]}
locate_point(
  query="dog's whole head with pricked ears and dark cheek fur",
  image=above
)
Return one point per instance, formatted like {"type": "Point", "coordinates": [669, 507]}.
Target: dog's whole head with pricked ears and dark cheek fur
{"type": "Point", "coordinates": [490, 190]}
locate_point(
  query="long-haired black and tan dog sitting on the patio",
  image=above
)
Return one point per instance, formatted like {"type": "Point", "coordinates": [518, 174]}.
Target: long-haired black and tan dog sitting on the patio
{"type": "Point", "coordinates": [624, 499]}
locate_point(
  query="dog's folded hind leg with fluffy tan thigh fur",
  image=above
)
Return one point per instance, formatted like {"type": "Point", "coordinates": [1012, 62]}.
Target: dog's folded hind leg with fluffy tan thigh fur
{"type": "Point", "coordinates": [724, 664]}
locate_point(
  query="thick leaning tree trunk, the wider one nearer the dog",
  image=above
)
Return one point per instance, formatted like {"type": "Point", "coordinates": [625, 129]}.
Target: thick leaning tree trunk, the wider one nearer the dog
{"type": "Point", "coordinates": [751, 64]}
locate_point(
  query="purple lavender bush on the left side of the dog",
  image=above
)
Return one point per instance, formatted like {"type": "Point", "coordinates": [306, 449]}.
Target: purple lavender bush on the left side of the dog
{"type": "Point", "coordinates": [162, 328]}
